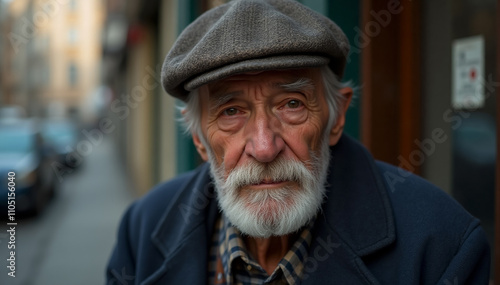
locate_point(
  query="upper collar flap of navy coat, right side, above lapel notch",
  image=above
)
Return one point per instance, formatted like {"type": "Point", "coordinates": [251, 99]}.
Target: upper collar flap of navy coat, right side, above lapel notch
{"type": "Point", "coordinates": [358, 207]}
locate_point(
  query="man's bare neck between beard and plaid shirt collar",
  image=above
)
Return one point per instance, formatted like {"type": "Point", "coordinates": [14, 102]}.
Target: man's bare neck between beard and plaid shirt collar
{"type": "Point", "coordinates": [268, 252]}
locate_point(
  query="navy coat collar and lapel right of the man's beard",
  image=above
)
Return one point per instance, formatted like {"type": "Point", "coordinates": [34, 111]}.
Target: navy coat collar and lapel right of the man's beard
{"type": "Point", "coordinates": [356, 220]}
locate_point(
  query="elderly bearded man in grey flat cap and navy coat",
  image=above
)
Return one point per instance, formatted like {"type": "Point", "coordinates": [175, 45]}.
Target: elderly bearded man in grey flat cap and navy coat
{"type": "Point", "coordinates": [285, 197]}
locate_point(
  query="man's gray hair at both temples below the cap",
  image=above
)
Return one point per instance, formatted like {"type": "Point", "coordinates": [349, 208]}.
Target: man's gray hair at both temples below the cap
{"type": "Point", "coordinates": [192, 108]}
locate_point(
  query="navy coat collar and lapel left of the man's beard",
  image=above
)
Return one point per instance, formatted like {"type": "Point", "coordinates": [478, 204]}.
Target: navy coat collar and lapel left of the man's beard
{"type": "Point", "coordinates": [184, 233]}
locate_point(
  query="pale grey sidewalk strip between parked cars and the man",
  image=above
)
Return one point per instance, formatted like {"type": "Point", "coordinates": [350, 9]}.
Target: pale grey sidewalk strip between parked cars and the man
{"type": "Point", "coordinates": [81, 247]}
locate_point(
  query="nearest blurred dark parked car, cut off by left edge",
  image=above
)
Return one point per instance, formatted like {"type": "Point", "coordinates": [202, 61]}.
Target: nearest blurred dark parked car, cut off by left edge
{"type": "Point", "coordinates": [26, 162]}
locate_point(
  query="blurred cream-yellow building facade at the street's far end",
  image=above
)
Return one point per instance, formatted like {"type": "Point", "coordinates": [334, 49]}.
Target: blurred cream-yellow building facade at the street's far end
{"type": "Point", "coordinates": [51, 56]}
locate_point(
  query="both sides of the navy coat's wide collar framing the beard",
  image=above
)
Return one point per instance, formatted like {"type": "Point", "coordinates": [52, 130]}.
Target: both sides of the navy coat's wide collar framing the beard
{"type": "Point", "coordinates": [356, 215]}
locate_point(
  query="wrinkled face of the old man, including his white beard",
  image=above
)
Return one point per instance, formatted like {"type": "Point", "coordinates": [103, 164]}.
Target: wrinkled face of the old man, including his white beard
{"type": "Point", "coordinates": [268, 148]}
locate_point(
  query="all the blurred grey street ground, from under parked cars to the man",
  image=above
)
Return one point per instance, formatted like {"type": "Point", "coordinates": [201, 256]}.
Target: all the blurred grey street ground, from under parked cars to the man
{"type": "Point", "coordinates": [71, 241]}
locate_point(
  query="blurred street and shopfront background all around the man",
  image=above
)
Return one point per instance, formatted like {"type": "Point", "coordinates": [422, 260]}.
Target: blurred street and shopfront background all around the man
{"type": "Point", "coordinates": [87, 128]}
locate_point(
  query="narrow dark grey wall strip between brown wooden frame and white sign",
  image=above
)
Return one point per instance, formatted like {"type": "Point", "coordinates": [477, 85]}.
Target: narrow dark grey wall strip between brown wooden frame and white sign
{"type": "Point", "coordinates": [436, 90]}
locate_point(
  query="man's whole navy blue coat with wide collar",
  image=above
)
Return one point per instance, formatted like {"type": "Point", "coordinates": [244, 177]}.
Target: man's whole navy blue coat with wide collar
{"type": "Point", "coordinates": [379, 225]}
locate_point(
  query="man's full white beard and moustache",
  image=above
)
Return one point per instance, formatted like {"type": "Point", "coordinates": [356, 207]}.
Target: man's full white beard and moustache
{"type": "Point", "coordinates": [272, 212]}
